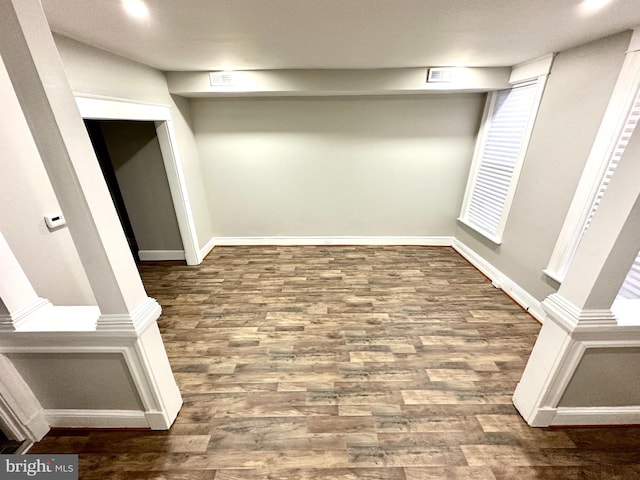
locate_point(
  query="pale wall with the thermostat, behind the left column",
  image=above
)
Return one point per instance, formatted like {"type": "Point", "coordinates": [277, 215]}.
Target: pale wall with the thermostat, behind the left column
{"type": "Point", "coordinates": [49, 259]}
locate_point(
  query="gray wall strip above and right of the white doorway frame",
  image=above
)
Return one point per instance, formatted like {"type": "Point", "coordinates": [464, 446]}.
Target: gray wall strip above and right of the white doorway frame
{"type": "Point", "coordinates": [97, 72]}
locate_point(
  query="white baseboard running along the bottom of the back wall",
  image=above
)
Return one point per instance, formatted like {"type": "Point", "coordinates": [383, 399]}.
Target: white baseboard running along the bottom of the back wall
{"type": "Point", "coordinates": [434, 241]}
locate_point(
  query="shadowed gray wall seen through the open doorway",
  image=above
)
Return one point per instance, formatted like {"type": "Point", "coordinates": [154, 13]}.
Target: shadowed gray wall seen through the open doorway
{"type": "Point", "coordinates": [137, 160]}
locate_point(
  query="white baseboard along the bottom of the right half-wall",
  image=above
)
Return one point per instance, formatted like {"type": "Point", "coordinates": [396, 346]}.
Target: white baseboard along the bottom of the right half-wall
{"type": "Point", "coordinates": [570, 416]}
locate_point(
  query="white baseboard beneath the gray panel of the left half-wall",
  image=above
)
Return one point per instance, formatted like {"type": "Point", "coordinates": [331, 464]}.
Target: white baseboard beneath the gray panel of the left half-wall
{"type": "Point", "coordinates": [71, 418]}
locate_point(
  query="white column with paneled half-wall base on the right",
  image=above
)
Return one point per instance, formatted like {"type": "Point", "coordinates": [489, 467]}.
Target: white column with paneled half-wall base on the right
{"type": "Point", "coordinates": [579, 315]}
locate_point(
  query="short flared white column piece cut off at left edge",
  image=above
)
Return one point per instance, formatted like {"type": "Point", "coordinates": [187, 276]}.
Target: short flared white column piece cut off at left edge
{"type": "Point", "coordinates": [19, 302]}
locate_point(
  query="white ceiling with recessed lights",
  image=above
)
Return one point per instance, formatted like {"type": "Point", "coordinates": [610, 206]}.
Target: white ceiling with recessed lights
{"type": "Point", "coordinates": [275, 34]}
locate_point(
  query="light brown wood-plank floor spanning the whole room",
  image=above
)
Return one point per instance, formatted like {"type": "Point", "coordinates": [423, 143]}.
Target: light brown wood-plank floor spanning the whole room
{"type": "Point", "coordinates": [344, 363]}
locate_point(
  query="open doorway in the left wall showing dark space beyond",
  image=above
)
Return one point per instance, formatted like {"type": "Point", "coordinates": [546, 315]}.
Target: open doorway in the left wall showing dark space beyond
{"type": "Point", "coordinates": [131, 161]}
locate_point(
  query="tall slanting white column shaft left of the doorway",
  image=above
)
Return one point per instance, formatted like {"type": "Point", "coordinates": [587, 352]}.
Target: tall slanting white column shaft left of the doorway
{"type": "Point", "coordinates": [38, 77]}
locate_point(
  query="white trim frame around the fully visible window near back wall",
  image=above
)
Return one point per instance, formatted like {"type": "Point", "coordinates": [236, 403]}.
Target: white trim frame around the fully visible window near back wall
{"type": "Point", "coordinates": [496, 238]}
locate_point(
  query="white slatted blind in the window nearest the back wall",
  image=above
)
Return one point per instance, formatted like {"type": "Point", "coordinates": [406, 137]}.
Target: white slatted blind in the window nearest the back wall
{"type": "Point", "coordinates": [508, 126]}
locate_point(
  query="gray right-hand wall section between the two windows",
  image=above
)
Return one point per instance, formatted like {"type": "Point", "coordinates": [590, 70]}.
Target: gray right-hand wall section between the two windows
{"type": "Point", "coordinates": [574, 101]}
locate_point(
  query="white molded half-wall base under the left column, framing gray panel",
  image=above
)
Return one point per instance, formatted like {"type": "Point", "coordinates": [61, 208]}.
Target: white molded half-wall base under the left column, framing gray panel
{"type": "Point", "coordinates": [146, 366]}
